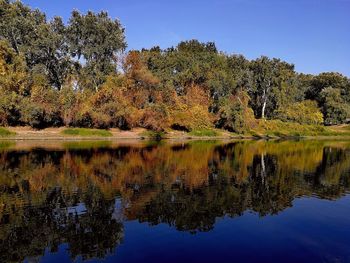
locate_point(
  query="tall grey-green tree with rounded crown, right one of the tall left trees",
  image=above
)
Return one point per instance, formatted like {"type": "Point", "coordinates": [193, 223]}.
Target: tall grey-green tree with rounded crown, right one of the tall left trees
{"type": "Point", "coordinates": [97, 39]}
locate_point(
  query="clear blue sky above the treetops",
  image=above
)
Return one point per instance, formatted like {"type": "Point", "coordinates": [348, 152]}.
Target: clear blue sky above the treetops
{"type": "Point", "coordinates": [312, 34]}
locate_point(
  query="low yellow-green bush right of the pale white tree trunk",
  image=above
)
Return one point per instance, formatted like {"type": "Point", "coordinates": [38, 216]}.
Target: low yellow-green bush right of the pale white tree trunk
{"type": "Point", "coordinates": [305, 112]}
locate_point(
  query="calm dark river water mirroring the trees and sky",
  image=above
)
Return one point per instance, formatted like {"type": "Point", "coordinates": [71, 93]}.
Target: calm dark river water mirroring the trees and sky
{"type": "Point", "coordinates": [250, 201]}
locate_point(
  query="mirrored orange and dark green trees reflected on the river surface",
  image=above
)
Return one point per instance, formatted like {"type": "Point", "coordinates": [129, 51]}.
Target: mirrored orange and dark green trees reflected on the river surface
{"type": "Point", "coordinates": [68, 193]}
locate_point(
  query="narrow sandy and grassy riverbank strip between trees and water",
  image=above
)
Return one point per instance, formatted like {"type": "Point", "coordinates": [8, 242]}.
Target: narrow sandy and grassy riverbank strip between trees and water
{"type": "Point", "coordinates": [262, 132]}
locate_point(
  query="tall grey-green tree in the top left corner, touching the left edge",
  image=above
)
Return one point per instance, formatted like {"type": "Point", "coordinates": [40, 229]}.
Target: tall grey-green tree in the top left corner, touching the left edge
{"type": "Point", "coordinates": [43, 44]}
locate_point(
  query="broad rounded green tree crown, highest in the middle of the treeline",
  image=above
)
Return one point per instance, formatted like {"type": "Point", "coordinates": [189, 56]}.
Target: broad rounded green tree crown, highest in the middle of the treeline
{"type": "Point", "coordinates": [189, 63]}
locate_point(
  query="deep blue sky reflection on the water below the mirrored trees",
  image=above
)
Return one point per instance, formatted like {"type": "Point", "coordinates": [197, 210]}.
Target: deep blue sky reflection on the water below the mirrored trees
{"type": "Point", "coordinates": [313, 230]}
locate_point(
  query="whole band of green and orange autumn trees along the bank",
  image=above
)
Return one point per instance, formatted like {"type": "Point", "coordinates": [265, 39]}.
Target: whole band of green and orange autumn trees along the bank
{"type": "Point", "coordinates": [80, 73]}
